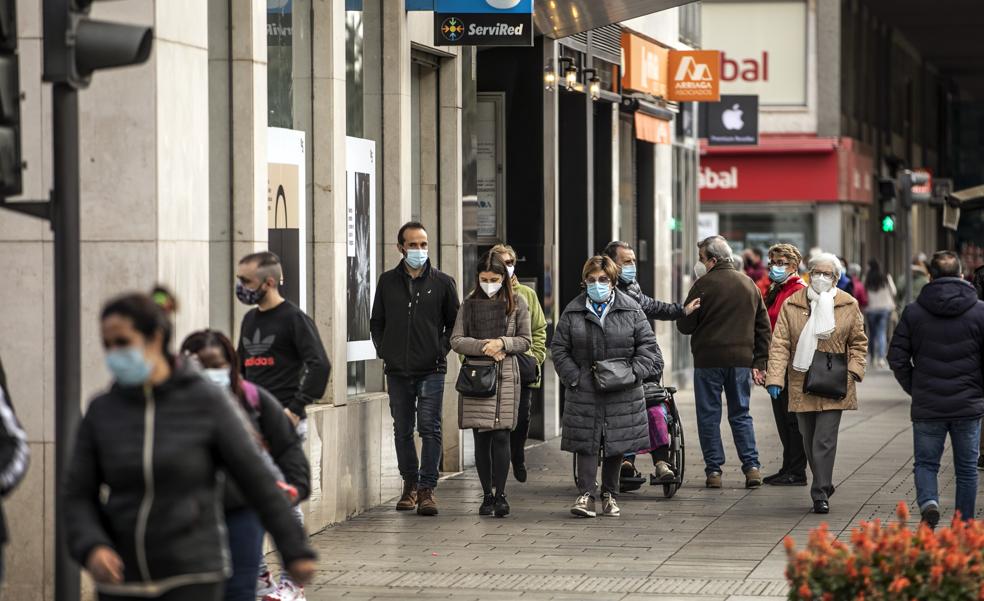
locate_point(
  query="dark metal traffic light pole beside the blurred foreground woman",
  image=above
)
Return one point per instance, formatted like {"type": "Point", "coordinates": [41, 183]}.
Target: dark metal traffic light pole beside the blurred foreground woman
{"type": "Point", "coordinates": [65, 223]}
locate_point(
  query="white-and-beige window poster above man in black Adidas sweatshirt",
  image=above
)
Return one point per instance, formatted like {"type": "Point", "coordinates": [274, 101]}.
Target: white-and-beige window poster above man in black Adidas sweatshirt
{"type": "Point", "coordinates": [286, 225]}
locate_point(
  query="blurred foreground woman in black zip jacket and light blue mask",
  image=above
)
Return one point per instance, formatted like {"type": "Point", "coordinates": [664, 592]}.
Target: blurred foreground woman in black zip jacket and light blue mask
{"type": "Point", "coordinates": [143, 504]}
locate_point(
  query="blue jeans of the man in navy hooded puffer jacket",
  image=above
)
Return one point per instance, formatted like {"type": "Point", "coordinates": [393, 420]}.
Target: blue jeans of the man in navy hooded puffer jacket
{"type": "Point", "coordinates": [928, 440]}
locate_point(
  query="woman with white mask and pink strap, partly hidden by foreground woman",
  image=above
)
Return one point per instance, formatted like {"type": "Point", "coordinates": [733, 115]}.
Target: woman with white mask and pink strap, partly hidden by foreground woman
{"type": "Point", "coordinates": [280, 447]}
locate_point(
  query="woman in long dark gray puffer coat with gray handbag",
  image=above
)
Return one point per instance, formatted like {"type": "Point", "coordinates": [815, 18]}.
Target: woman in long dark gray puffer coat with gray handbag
{"type": "Point", "coordinates": [603, 328]}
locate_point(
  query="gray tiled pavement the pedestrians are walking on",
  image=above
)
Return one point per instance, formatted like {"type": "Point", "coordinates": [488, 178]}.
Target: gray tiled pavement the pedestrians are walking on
{"type": "Point", "coordinates": [702, 544]}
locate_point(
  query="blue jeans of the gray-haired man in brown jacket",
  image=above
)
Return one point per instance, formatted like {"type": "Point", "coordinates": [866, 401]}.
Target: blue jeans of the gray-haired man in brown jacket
{"type": "Point", "coordinates": [736, 383]}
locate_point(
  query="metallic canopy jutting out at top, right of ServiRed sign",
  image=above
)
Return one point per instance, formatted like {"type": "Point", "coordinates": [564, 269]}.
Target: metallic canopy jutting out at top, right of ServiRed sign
{"type": "Point", "coordinates": [561, 18]}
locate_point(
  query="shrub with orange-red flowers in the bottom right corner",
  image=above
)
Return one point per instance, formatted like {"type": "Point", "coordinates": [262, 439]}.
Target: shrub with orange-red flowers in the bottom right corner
{"type": "Point", "coordinates": [890, 562]}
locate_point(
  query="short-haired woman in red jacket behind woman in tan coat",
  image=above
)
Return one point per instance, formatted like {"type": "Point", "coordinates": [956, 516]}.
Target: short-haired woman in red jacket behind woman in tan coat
{"type": "Point", "coordinates": [784, 260]}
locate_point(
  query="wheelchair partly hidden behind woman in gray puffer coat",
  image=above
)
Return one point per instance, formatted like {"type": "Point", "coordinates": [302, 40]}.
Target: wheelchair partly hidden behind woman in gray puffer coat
{"type": "Point", "coordinates": [658, 398]}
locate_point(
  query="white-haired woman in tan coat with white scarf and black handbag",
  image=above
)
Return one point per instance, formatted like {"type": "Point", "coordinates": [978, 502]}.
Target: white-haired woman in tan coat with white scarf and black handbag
{"type": "Point", "coordinates": [819, 344]}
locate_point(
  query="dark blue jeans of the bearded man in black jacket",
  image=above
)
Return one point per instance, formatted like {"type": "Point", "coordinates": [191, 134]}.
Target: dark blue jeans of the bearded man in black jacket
{"type": "Point", "coordinates": [417, 400]}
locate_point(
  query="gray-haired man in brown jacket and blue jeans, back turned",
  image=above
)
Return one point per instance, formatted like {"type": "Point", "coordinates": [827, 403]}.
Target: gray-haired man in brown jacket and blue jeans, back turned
{"type": "Point", "coordinates": [730, 343]}
